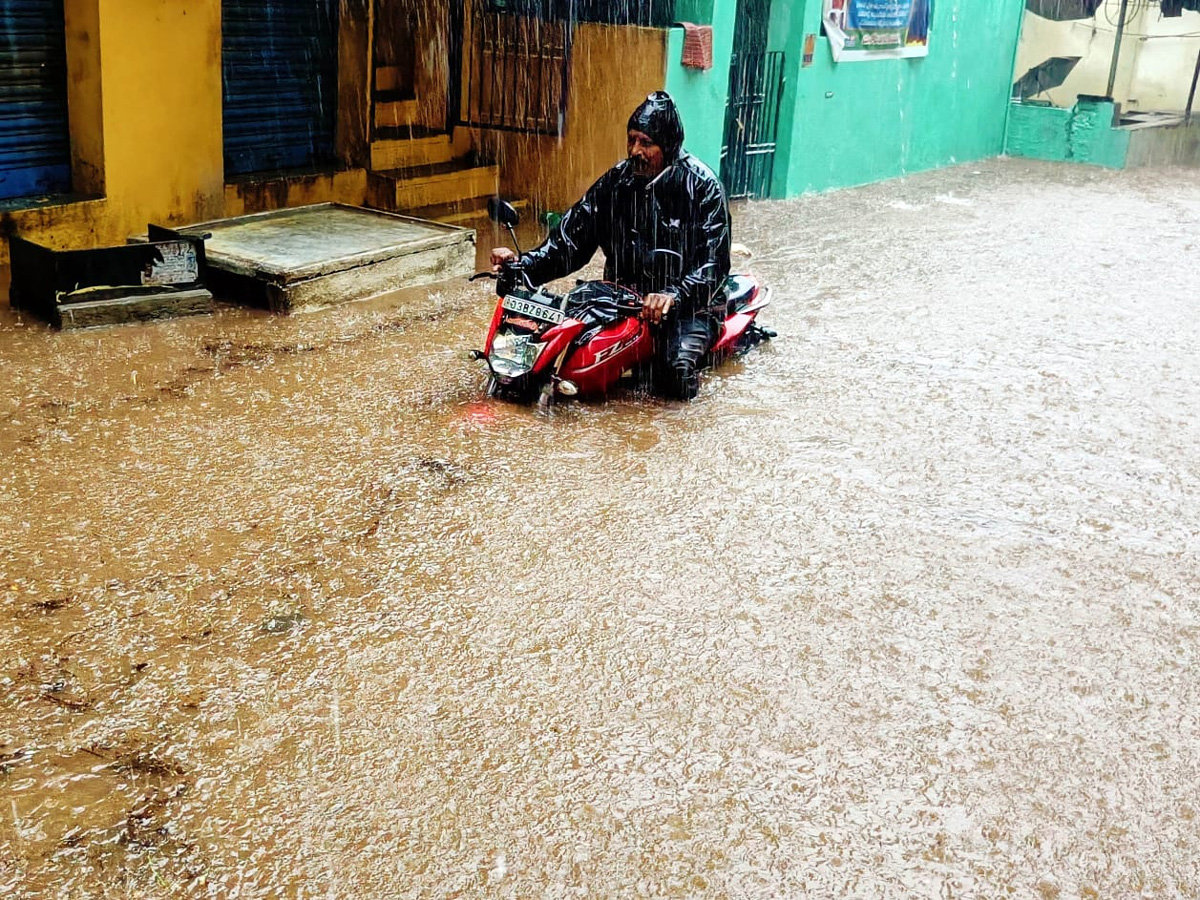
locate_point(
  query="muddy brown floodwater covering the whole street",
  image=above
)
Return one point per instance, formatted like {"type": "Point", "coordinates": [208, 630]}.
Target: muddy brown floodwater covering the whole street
{"type": "Point", "coordinates": [905, 605]}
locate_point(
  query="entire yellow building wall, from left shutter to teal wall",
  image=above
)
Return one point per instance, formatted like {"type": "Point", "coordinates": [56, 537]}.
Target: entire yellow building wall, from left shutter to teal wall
{"type": "Point", "coordinates": [147, 133]}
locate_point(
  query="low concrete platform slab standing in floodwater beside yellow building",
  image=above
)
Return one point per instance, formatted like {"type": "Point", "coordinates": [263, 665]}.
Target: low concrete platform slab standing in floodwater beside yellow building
{"type": "Point", "coordinates": [317, 256]}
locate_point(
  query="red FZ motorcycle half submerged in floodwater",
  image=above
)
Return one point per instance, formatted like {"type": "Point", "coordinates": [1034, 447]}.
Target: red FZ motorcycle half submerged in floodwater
{"type": "Point", "coordinates": [584, 343]}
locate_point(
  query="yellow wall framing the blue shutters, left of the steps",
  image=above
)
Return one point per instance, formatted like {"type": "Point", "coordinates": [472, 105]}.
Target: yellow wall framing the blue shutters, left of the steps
{"type": "Point", "coordinates": [145, 95]}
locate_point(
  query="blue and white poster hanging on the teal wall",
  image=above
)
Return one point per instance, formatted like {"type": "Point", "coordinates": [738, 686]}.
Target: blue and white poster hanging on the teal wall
{"type": "Point", "coordinates": [878, 29]}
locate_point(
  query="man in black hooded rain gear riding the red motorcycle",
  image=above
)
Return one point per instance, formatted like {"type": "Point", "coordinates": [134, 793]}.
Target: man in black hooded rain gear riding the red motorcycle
{"type": "Point", "coordinates": [662, 219]}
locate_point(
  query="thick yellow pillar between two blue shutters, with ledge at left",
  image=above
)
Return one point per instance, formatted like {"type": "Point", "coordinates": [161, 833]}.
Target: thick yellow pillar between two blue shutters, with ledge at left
{"type": "Point", "coordinates": [145, 92]}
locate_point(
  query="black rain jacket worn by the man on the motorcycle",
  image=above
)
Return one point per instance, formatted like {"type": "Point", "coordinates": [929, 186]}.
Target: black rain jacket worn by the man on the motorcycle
{"type": "Point", "coordinates": [628, 218]}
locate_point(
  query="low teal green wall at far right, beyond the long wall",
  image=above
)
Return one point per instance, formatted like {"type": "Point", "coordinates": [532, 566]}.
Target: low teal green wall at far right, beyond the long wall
{"type": "Point", "coordinates": [1084, 134]}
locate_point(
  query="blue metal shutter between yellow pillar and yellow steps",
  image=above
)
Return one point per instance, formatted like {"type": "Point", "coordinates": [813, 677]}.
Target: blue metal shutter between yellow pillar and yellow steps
{"type": "Point", "coordinates": [280, 83]}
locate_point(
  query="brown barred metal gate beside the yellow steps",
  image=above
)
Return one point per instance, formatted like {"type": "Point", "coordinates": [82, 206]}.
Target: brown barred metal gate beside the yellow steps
{"type": "Point", "coordinates": [515, 69]}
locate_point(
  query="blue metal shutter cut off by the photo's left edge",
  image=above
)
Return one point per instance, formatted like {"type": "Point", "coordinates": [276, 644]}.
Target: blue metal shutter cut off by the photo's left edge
{"type": "Point", "coordinates": [35, 145]}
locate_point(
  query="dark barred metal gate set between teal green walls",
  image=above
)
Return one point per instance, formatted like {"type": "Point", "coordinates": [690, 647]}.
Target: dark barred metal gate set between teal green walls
{"type": "Point", "coordinates": [752, 124]}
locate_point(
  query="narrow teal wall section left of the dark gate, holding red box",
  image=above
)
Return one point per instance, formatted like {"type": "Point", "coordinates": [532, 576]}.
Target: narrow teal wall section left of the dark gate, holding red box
{"type": "Point", "coordinates": [699, 94]}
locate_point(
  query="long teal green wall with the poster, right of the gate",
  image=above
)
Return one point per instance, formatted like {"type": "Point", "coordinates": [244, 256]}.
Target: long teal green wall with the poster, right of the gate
{"type": "Point", "coordinates": [855, 123]}
